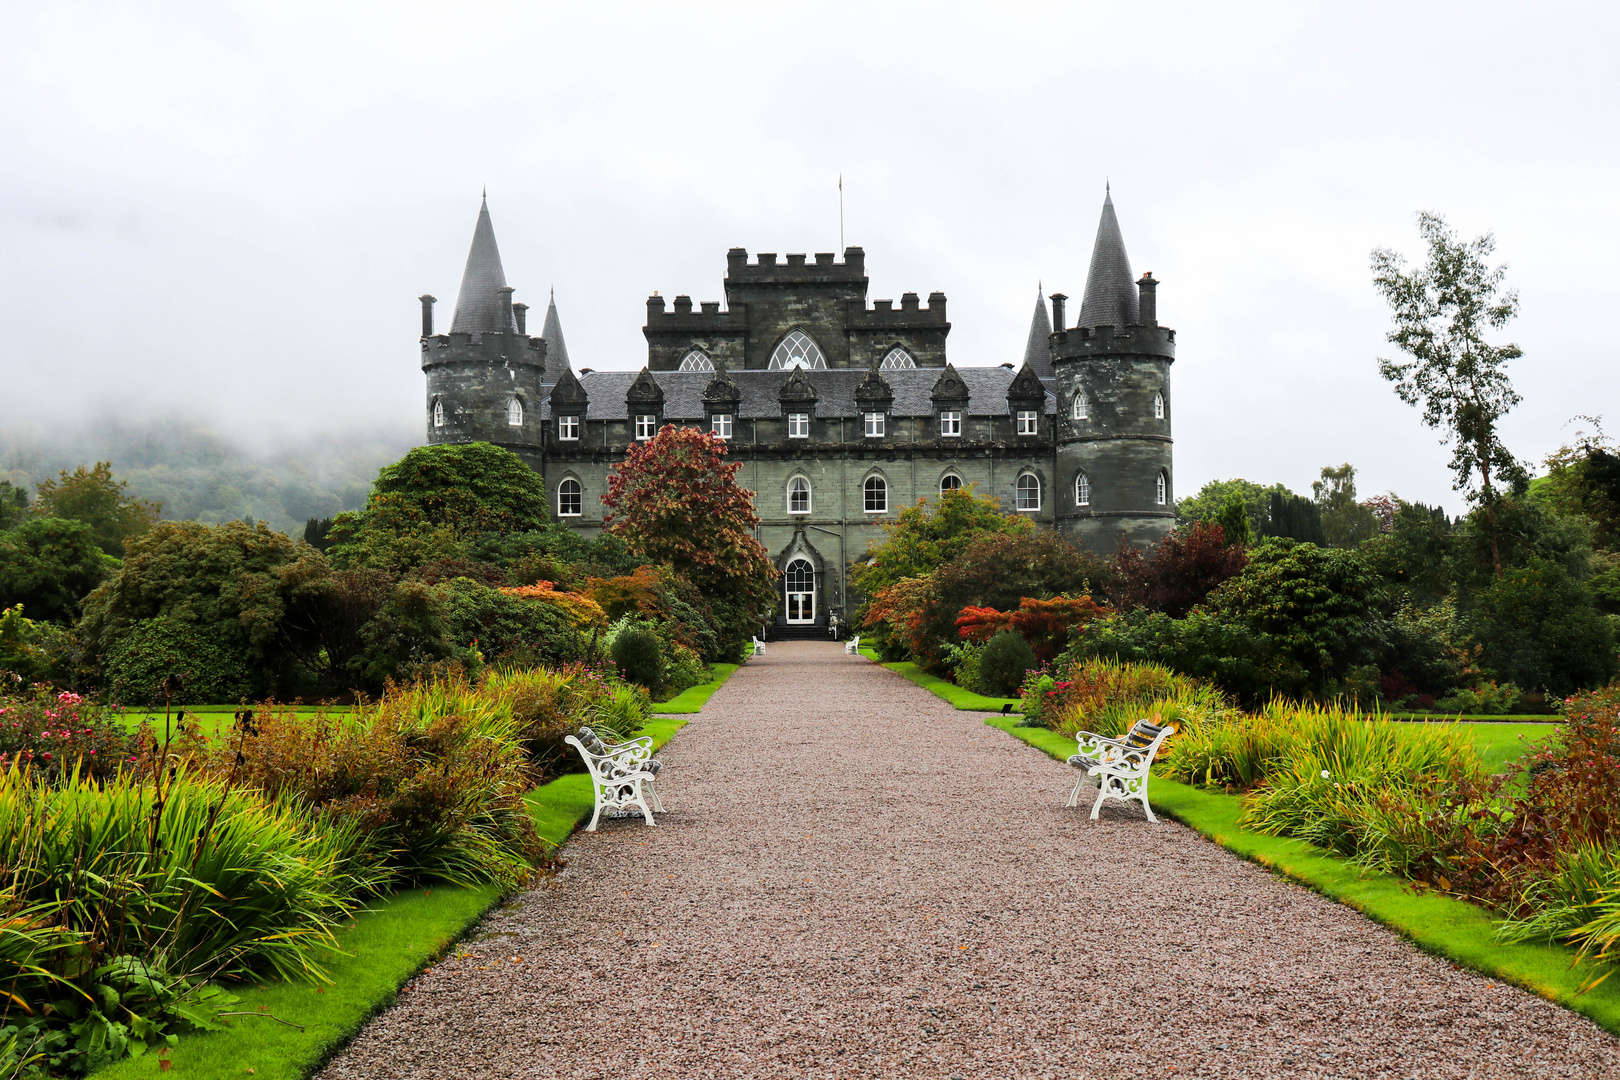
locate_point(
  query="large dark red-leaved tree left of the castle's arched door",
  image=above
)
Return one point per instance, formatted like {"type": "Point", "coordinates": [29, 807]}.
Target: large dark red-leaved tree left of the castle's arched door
{"type": "Point", "coordinates": [676, 501]}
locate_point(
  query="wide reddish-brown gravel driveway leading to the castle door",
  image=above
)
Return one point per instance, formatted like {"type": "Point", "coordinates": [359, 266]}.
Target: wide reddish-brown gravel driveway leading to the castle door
{"type": "Point", "coordinates": [855, 880]}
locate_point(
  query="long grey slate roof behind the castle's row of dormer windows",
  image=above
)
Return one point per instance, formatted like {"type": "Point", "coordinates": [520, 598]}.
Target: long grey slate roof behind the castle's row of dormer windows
{"type": "Point", "coordinates": [987, 391]}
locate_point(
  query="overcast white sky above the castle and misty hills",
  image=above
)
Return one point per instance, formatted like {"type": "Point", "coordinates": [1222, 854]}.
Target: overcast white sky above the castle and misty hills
{"type": "Point", "coordinates": [231, 208]}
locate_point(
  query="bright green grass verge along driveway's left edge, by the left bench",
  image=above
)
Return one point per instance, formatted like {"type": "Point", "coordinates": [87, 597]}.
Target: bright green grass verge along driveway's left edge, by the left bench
{"type": "Point", "coordinates": [383, 950]}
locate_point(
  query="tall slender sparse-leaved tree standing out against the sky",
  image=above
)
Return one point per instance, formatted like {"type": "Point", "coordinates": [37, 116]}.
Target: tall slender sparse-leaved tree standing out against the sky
{"type": "Point", "coordinates": [1443, 313]}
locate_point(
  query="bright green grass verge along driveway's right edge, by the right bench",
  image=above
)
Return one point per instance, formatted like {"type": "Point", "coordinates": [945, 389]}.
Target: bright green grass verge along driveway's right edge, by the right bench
{"type": "Point", "coordinates": [1456, 930]}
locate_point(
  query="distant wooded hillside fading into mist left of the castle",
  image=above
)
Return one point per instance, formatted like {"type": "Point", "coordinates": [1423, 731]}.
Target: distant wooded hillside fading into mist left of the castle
{"type": "Point", "coordinates": [205, 475]}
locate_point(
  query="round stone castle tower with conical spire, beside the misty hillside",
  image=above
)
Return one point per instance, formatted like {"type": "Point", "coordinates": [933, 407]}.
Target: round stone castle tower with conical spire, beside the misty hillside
{"type": "Point", "coordinates": [485, 375]}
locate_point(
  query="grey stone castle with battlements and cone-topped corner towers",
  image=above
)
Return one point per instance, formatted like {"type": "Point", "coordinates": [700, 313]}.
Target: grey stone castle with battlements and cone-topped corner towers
{"type": "Point", "coordinates": [840, 412]}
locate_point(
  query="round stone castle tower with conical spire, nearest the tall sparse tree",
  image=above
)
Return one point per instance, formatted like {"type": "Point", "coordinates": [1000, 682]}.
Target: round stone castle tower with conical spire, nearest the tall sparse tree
{"type": "Point", "coordinates": [1114, 459]}
